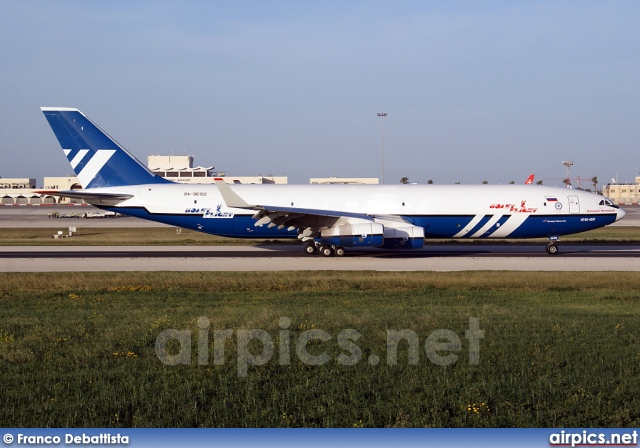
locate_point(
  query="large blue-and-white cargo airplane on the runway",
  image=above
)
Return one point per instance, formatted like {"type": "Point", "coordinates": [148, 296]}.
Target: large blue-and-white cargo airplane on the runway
{"type": "Point", "coordinates": [328, 218]}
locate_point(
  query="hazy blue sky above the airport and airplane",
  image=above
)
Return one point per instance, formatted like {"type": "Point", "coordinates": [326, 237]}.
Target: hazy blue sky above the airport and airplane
{"type": "Point", "coordinates": [474, 91]}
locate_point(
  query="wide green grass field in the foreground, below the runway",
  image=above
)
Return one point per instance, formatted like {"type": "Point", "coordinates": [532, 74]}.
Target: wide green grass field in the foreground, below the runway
{"type": "Point", "coordinates": [559, 350]}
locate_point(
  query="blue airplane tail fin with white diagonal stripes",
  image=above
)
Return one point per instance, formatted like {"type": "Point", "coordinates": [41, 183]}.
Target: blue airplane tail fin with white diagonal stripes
{"type": "Point", "coordinates": [97, 159]}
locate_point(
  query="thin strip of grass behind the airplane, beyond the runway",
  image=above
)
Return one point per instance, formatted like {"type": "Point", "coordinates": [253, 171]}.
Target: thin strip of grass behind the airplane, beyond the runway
{"type": "Point", "coordinates": [114, 236]}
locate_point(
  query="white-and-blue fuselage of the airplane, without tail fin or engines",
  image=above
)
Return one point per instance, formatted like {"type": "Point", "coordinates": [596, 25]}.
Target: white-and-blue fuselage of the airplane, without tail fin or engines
{"type": "Point", "coordinates": [453, 211]}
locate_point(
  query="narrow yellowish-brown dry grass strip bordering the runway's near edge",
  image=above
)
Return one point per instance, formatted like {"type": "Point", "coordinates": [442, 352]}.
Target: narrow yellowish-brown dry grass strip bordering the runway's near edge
{"type": "Point", "coordinates": [319, 281]}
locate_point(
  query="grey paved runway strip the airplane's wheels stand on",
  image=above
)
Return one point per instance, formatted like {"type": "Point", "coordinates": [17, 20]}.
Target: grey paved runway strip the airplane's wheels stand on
{"type": "Point", "coordinates": [289, 258]}
